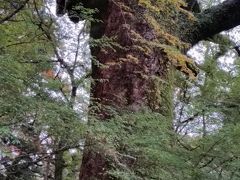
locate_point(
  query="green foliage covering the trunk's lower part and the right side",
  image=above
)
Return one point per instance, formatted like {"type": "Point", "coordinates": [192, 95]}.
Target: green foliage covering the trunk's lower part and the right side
{"type": "Point", "coordinates": [205, 145]}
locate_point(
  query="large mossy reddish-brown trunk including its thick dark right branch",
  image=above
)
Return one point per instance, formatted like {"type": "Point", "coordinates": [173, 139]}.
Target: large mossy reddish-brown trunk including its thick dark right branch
{"type": "Point", "coordinates": [152, 38]}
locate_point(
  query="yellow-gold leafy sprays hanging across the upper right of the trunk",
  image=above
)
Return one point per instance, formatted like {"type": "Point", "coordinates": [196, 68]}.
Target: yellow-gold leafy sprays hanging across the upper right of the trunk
{"type": "Point", "coordinates": [167, 42]}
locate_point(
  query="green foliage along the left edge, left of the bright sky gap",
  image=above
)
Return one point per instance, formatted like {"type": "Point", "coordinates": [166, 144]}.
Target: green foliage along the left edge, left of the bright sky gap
{"type": "Point", "coordinates": [30, 114]}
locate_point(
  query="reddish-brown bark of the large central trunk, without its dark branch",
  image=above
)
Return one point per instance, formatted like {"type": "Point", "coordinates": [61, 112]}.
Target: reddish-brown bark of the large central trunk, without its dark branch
{"type": "Point", "coordinates": [132, 74]}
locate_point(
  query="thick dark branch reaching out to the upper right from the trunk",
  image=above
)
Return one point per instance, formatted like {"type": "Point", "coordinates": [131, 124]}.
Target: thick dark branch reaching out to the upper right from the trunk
{"type": "Point", "coordinates": [215, 20]}
